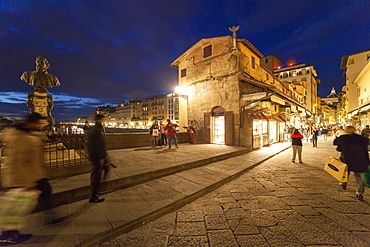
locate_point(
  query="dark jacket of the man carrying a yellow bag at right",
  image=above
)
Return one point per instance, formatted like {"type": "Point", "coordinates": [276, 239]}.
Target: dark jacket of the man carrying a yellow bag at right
{"type": "Point", "coordinates": [353, 148]}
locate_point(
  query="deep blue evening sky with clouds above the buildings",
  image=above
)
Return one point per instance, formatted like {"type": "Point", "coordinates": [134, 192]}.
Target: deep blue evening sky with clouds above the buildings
{"type": "Point", "coordinates": [107, 52]}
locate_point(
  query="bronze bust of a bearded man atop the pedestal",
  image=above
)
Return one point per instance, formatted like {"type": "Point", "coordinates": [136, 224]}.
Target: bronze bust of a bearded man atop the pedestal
{"type": "Point", "coordinates": [40, 78]}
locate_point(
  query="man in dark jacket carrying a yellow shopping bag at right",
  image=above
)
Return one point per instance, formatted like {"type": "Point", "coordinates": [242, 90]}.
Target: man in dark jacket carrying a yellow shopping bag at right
{"type": "Point", "coordinates": [353, 148]}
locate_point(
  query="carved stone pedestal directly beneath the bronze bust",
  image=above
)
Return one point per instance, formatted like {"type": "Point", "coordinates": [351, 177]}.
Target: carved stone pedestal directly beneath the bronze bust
{"type": "Point", "coordinates": [41, 103]}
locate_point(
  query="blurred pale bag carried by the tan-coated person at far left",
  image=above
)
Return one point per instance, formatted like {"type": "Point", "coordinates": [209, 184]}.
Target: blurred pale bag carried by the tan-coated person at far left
{"type": "Point", "coordinates": [15, 204]}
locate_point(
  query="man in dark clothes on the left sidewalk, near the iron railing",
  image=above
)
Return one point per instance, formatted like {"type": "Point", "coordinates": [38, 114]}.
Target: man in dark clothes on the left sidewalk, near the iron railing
{"type": "Point", "coordinates": [98, 156]}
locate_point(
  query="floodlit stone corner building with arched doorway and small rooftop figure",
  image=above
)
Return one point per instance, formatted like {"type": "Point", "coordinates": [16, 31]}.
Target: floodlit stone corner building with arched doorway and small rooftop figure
{"type": "Point", "coordinates": [231, 97]}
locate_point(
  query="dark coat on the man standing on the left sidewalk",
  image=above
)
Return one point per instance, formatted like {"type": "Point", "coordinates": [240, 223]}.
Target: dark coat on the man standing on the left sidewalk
{"type": "Point", "coordinates": [96, 146]}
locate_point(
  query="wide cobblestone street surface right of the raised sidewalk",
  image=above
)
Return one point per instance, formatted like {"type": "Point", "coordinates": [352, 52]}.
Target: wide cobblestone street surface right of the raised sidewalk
{"type": "Point", "coordinates": [278, 203]}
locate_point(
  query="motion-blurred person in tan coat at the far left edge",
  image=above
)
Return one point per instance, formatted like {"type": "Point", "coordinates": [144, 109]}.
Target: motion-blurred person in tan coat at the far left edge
{"type": "Point", "coordinates": [24, 167]}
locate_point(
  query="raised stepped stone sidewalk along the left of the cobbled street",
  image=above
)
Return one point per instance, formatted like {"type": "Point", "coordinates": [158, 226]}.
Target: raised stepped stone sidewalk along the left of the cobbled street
{"type": "Point", "coordinates": [86, 224]}
